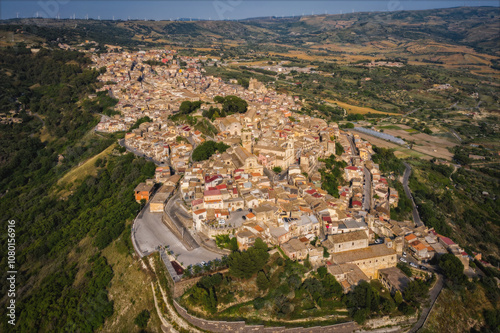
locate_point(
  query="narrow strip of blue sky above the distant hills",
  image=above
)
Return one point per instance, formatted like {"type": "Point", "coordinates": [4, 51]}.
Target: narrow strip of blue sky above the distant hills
{"type": "Point", "coordinates": [209, 9]}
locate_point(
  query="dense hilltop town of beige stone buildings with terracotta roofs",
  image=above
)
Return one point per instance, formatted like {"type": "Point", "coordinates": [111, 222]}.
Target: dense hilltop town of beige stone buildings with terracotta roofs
{"type": "Point", "coordinates": [268, 183]}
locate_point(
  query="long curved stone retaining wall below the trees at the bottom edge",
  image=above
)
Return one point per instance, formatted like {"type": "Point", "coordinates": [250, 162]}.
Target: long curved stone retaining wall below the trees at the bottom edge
{"type": "Point", "coordinates": [240, 326]}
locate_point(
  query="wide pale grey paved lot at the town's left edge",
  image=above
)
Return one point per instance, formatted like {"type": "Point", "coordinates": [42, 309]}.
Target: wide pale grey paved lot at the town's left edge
{"type": "Point", "coordinates": [150, 232]}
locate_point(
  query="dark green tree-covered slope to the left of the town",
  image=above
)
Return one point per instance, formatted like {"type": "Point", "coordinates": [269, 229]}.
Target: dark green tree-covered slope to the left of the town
{"type": "Point", "coordinates": [58, 288]}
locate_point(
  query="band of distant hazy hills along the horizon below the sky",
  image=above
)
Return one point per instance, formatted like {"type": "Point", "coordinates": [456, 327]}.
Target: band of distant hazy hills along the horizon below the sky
{"type": "Point", "coordinates": [475, 27]}
